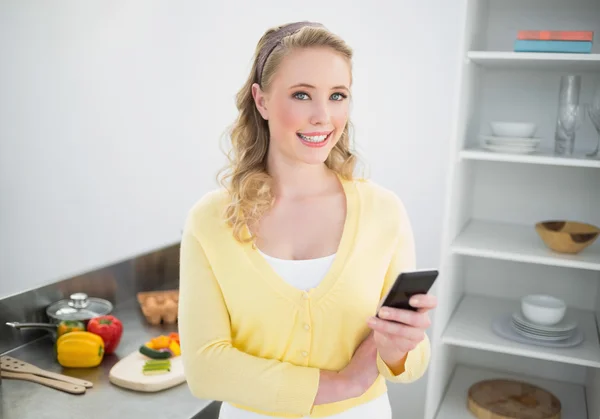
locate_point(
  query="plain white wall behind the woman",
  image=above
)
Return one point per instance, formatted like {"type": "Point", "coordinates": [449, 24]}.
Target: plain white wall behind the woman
{"type": "Point", "coordinates": [111, 114]}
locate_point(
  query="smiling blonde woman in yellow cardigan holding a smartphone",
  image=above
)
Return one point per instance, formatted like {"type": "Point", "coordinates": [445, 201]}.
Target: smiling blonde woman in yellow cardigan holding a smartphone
{"type": "Point", "coordinates": [282, 270]}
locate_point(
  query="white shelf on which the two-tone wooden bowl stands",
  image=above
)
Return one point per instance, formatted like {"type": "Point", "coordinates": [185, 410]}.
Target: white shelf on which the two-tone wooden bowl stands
{"type": "Point", "coordinates": [519, 243]}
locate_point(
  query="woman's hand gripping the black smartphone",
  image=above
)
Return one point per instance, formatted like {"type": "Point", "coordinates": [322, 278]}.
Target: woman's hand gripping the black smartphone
{"type": "Point", "coordinates": [397, 332]}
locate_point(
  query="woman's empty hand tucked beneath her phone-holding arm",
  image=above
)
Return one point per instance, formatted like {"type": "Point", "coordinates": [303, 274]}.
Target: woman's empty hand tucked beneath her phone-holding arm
{"type": "Point", "coordinates": [361, 372]}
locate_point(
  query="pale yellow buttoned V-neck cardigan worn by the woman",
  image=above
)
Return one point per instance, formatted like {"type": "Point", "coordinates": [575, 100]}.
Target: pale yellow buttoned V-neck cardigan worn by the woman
{"type": "Point", "coordinates": [251, 339]}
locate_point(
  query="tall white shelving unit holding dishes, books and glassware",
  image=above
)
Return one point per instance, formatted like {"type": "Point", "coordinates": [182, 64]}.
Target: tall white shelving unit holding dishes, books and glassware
{"type": "Point", "coordinates": [491, 254]}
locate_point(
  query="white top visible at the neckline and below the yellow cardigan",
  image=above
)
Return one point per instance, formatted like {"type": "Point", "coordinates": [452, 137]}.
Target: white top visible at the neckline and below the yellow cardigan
{"type": "Point", "coordinates": [304, 275]}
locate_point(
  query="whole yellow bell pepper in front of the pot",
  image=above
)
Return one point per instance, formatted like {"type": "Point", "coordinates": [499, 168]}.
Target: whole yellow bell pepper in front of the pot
{"type": "Point", "coordinates": [79, 350]}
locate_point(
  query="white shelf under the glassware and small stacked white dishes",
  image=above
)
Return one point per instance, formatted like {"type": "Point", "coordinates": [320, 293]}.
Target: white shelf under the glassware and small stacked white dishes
{"type": "Point", "coordinates": [544, 157]}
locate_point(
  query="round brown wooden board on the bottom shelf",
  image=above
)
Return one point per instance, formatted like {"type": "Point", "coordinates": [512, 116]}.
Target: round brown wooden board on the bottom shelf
{"type": "Point", "coordinates": [508, 399]}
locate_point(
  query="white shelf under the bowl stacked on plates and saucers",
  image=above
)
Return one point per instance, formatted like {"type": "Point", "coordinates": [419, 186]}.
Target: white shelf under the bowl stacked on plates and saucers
{"type": "Point", "coordinates": [471, 327]}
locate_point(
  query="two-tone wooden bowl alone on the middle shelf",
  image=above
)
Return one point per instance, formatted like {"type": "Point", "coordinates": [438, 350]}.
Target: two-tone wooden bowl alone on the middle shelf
{"type": "Point", "coordinates": [567, 236]}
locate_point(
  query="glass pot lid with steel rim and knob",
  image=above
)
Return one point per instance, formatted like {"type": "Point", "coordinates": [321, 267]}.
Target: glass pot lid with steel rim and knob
{"type": "Point", "coordinates": [79, 307]}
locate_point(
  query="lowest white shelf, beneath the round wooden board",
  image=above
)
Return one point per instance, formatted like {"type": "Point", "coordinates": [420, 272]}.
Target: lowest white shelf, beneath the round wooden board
{"type": "Point", "coordinates": [454, 403]}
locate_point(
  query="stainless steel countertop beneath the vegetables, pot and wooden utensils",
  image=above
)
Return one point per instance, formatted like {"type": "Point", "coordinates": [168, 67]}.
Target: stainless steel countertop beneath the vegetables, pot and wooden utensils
{"type": "Point", "coordinates": [23, 400]}
